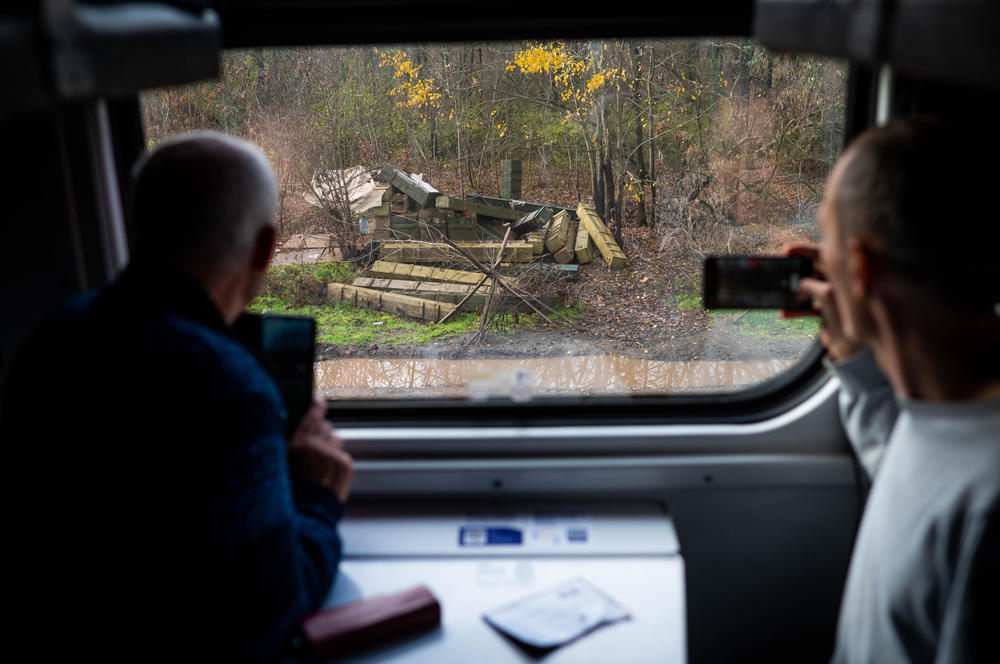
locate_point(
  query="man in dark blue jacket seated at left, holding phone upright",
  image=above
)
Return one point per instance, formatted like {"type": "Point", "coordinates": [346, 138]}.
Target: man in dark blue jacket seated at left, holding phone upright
{"type": "Point", "coordinates": [174, 519]}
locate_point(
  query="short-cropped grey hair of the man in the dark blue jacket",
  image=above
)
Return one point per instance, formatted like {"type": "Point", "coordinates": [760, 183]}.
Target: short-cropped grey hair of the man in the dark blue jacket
{"type": "Point", "coordinates": [199, 200]}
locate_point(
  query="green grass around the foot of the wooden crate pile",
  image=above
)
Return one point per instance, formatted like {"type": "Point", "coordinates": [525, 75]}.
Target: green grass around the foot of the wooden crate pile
{"type": "Point", "coordinates": [301, 290]}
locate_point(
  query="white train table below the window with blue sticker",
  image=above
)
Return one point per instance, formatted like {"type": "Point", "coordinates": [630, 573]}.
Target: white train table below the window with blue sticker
{"type": "Point", "coordinates": [629, 551]}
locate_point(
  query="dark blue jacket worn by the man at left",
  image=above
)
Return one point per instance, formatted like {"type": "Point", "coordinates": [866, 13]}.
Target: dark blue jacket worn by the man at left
{"type": "Point", "coordinates": [149, 454]}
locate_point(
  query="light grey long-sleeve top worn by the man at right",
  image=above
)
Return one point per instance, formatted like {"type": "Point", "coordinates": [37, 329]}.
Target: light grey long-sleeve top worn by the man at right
{"type": "Point", "coordinates": [923, 579]}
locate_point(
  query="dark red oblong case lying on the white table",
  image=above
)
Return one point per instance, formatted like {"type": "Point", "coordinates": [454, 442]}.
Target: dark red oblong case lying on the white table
{"type": "Point", "coordinates": [368, 622]}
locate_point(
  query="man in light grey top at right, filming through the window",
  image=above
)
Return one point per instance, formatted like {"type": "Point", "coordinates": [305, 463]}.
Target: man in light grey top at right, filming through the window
{"type": "Point", "coordinates": [908, 294]}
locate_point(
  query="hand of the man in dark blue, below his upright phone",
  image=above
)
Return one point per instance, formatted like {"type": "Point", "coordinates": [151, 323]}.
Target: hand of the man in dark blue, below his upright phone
{"type": "Point", "coordinates": [316, 453]}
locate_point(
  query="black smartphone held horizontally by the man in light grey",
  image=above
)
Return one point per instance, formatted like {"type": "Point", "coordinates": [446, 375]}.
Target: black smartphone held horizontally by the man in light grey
{"type": "Point", "coordinates": [754, 282]}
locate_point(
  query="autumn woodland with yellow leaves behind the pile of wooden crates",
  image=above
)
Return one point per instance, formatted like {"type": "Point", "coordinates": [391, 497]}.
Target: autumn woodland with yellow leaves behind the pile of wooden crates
{"type": "Point", "coordinates": [685, 148]}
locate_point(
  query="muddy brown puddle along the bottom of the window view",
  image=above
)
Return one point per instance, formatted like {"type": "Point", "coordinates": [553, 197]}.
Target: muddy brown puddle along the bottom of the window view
{"type": "Point", "coordinates": [524, 377]}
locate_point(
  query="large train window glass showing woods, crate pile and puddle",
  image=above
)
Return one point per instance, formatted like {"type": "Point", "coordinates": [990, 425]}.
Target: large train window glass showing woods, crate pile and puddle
{"type": "Point", "coordinates": [559, 196]}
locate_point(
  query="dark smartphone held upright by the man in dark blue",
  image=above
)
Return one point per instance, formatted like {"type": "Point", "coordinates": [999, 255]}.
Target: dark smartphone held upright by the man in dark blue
{"type": "Point", "coordinates": [286, 347]}
